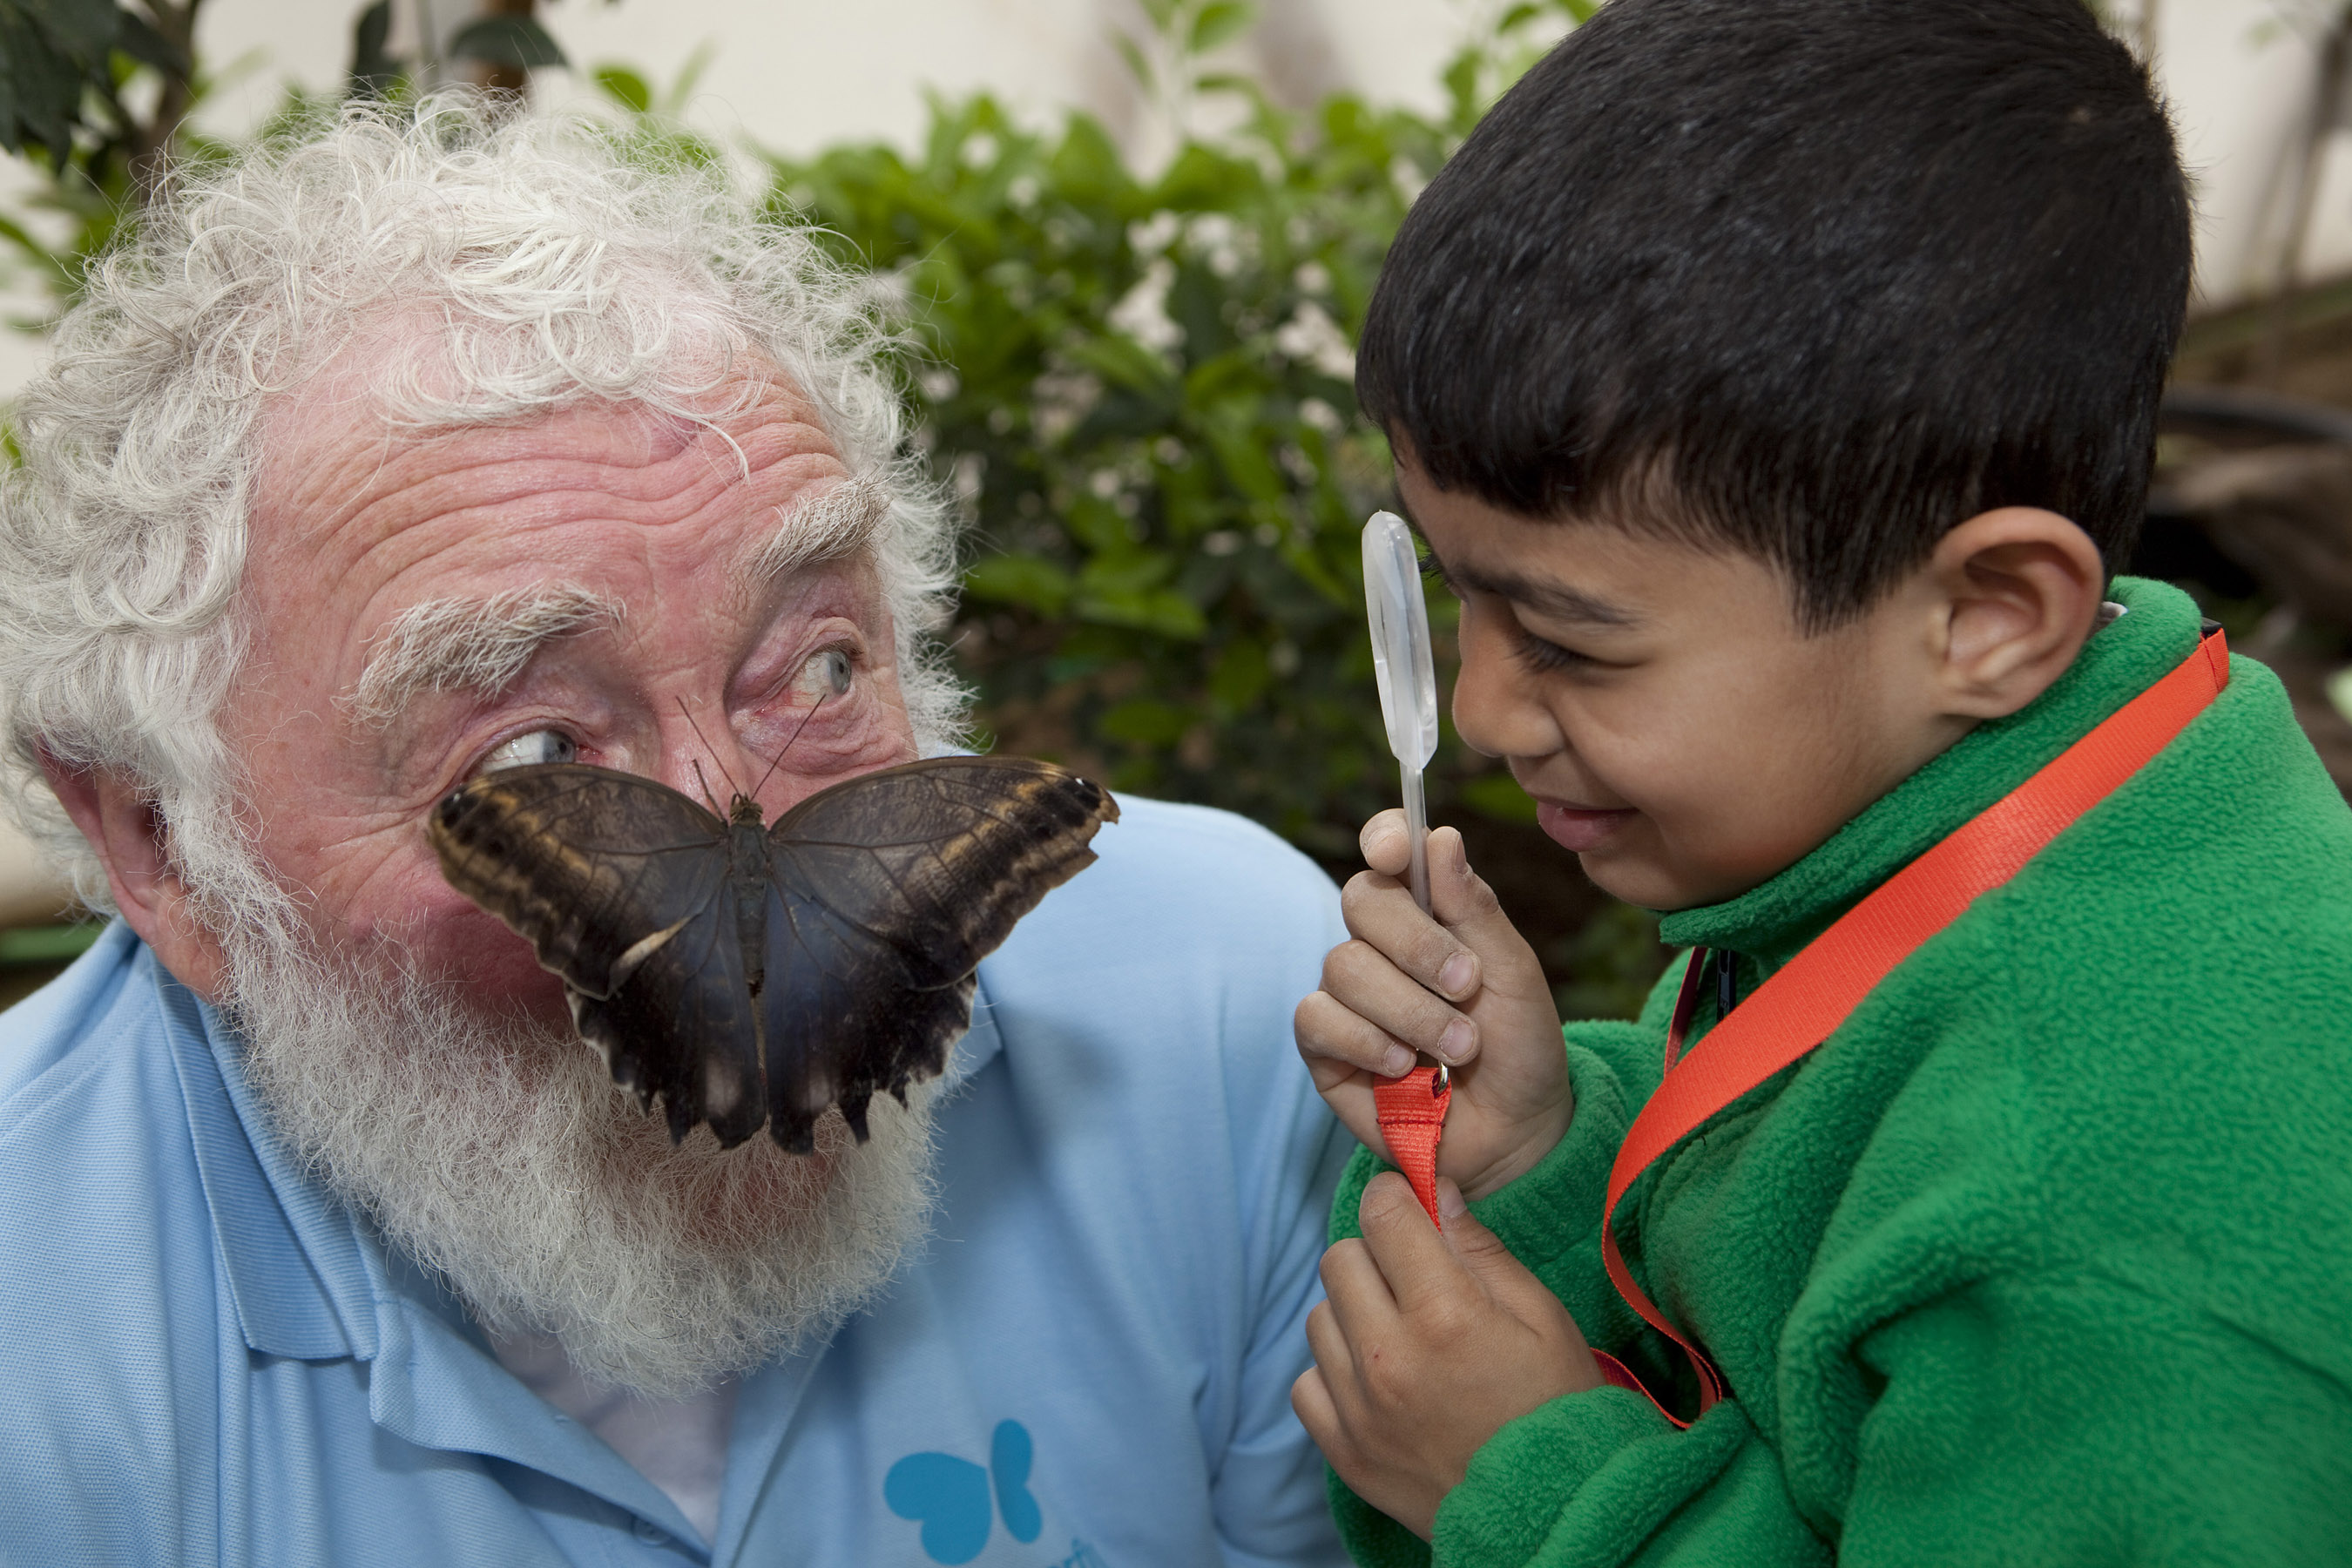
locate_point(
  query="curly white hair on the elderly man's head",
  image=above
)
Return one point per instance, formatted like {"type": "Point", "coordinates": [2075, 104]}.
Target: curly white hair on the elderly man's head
{"type": "Point", "coordinates": [552, 260]}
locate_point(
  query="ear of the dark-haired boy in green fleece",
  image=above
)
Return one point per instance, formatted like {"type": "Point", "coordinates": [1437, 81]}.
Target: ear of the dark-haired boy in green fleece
{"type": "Point", "coordinates": [2017, 596]}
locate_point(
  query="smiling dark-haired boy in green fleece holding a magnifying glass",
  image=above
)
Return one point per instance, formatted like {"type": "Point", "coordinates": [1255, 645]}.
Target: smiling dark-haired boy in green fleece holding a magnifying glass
{"type": "Point", "coordinates": [1775, 384]}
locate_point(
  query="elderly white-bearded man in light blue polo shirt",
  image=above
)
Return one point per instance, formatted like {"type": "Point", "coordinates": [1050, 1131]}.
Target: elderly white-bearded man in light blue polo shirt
{"type": "Point", "coordinates": [429, 448]}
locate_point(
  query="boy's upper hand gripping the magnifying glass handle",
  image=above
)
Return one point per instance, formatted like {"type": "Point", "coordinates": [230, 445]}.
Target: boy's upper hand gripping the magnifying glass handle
{"type": "Point", "coordinates": [1459, 984]}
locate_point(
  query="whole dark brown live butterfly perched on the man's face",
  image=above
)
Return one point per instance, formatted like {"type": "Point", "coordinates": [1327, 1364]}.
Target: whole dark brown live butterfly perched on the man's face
{"type": "Point", "coordinates": [749, 974]}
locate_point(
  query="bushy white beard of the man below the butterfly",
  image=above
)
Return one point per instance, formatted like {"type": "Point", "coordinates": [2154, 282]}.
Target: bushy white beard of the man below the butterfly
{"type": "Point", "coordinates": [502, 1155]}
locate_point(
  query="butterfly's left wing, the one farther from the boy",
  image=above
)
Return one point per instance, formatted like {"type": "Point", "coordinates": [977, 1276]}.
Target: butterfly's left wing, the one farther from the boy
{"type": "Point", "coordinates": [620, 887]}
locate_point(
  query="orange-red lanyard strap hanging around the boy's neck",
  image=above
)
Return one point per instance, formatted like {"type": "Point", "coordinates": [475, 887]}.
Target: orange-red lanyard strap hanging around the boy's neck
{"type": "Point", "coordinates": [1815, 993]}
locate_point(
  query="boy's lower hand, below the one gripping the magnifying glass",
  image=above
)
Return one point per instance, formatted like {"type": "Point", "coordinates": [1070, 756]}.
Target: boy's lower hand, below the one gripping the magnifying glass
{"type": "Point", "coordinates": [1424, 1348]}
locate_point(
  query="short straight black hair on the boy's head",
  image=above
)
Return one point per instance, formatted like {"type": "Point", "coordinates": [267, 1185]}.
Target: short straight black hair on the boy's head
{"type": "Point", "coordinates": [1812, 279]}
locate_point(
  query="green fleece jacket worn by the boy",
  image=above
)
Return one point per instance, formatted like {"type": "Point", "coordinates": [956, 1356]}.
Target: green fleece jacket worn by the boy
{"type": "Point", "coordinates": [2045, 1257]}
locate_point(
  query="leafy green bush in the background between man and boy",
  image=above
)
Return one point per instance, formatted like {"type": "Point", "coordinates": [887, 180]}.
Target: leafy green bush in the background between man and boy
{"type": "Point", "coordinates": [1142, 387]}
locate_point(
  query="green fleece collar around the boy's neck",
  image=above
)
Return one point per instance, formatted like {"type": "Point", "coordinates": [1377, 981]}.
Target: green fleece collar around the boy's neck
{"type": "Point", "coordinates": [2120, 662]}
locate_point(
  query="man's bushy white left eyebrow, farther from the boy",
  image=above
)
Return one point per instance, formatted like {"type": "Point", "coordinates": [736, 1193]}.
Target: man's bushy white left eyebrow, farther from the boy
{"type": "Point", "coordinates": [481, 645]}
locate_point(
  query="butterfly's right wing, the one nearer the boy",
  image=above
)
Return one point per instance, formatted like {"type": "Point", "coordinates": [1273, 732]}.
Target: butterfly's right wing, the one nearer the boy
{"type": "Point", "coordinates": [886, 894]}
